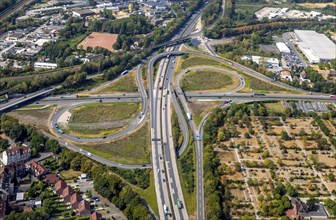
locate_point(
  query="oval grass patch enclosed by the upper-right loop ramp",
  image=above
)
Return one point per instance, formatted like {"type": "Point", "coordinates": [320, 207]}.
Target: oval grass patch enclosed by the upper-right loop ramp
{"type": "Point", "coordinates": [207, 80]}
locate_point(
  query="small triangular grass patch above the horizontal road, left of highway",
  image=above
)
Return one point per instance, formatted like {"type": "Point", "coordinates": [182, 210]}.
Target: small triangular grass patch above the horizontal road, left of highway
{"type": "Point", "coordinates": [125, 84]}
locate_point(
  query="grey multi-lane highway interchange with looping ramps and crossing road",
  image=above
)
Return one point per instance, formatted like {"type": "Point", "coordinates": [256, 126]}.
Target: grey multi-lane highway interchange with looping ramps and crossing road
{"type": "Point", "coordinates": [163, 92]}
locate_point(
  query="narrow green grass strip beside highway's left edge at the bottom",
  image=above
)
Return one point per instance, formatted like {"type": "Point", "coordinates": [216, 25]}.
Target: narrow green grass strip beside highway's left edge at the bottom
{"type": "Point", "coordinates": [149, 194]}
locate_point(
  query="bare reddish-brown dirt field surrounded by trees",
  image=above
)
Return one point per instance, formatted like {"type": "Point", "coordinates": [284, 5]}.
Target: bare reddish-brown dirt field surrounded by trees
{"type": "Point", "coordinates": [103, 40]}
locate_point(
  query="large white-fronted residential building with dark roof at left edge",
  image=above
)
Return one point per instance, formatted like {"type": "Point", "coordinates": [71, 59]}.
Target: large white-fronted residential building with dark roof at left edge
{"type": "Point", "coordinates": [15, 154]}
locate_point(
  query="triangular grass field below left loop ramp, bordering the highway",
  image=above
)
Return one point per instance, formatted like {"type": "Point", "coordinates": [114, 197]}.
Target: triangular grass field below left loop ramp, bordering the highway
{"type": "Point", "coordinates": [133, 149]}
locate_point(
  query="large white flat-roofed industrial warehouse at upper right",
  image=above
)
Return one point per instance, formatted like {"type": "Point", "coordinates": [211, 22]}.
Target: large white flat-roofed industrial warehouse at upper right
{"type": "Point", "coordinates": [316, 47]}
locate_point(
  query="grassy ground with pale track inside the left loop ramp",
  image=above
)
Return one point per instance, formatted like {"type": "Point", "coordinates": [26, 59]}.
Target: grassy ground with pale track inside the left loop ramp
{"type": "Point", "coordinates": [98, 119]}
